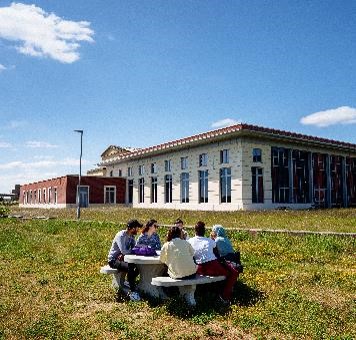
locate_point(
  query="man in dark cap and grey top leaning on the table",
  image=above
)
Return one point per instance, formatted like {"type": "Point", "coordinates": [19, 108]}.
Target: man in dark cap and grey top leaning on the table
{"type": "Point", "coordinates": [122, 244]}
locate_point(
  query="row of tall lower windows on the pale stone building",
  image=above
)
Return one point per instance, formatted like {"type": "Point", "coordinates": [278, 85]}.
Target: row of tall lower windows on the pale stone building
{"type": "Point", "coordinates": [203, 187]}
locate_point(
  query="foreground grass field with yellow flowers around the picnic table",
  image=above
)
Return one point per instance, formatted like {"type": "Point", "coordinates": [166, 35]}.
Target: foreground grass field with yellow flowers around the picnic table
{"type": "Point", "coordinates": [292, 288]}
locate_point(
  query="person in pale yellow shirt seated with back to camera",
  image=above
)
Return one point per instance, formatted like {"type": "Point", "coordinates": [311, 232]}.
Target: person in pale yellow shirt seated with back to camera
{"type": "Point", "coordinates": [177, 254]}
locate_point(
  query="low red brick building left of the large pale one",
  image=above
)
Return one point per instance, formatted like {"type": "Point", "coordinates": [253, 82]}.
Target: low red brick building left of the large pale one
{"type": "Point", "coordinates": [61, 192]}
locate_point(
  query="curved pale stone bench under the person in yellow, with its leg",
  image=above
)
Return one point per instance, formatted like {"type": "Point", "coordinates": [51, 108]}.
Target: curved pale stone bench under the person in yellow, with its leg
{"type": "Point", "coordinates": [186, 287]}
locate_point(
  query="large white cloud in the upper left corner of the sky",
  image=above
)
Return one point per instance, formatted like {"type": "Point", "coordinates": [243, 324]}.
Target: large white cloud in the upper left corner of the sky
{"type": "Point", "coordinates": [43, 34]}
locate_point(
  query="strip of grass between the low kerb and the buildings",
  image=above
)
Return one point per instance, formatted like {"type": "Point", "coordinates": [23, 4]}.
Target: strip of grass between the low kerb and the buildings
{"type": "Point", "coordinates": [337, 220]}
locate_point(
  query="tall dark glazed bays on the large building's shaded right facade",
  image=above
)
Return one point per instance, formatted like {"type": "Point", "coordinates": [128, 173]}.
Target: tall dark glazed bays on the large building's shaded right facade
{"type": "Point", "coordinates": [306, 177]}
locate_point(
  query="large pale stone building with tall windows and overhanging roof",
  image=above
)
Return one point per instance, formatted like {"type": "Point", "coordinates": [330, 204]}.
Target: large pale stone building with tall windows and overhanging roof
{"type": "Point", "coordinates": [237, 167]}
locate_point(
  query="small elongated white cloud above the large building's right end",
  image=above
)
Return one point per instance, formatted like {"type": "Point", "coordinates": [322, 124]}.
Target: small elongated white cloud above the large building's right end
{"type": "Point", "coordinates": [341, 115]}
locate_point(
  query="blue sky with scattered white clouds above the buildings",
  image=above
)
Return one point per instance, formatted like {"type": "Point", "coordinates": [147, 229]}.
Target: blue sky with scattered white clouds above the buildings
{"type": "Point", "coordinates": [140, 73]}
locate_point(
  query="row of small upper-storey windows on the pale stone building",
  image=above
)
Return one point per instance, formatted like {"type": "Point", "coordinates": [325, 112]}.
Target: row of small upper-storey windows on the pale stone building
{"type": "Point", "coordinates": [184, 162]}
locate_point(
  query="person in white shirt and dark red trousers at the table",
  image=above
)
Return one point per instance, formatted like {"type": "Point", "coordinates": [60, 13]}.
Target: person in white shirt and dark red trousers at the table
{"type": "Point", "coordinates": [206, 256]}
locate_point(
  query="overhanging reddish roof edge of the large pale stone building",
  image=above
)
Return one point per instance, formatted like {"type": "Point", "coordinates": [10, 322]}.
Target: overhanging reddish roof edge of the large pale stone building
{"type": "Point", "coordinates": [228, 132]}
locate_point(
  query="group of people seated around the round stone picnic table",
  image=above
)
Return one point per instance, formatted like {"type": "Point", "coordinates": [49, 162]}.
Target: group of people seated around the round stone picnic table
{"type": "Point", "coordinates": [185, 257]}
